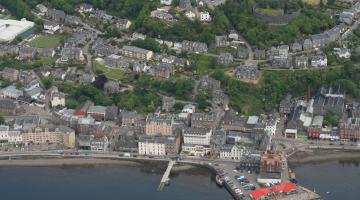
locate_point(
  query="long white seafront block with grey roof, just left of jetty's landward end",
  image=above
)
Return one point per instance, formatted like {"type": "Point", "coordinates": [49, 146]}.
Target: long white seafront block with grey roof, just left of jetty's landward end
{"type": "Point", "coordinates": [159, 145]}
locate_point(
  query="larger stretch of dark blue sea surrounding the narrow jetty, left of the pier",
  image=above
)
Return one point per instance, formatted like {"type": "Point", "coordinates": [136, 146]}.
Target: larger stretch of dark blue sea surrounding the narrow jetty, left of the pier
{"type": "Point", "coordinates": [106, 182]}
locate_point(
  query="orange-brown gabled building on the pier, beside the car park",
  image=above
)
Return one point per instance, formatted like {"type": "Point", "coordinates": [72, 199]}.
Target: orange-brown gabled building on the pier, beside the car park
{"type": "Point", "coordinates": [271, 163]}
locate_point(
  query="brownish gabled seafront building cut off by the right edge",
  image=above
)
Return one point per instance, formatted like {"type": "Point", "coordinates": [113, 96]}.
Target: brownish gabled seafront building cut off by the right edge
{"type": "Point", "coordinates": [350, 130]}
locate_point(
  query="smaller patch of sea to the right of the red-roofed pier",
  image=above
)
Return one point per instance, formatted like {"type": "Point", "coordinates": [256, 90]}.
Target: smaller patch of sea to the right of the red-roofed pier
{"type": "Point", "coordinates": [333, 180]}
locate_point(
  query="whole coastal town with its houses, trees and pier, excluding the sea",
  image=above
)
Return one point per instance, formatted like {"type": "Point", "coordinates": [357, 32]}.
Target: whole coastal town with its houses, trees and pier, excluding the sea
{"type": "Point", "coordinates": [88, 83]}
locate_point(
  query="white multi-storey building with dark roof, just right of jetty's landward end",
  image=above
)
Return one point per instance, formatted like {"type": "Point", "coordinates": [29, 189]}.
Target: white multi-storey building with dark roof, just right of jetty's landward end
{"type": "Point", "coordinates": [197, 136]}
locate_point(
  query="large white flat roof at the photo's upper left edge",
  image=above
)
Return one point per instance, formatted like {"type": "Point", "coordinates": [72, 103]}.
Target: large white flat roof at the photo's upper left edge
{"type": "Point", "coordinates": [9, 28]}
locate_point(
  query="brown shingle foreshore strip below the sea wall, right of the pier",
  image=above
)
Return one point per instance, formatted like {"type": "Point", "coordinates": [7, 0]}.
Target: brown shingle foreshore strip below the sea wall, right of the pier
{"type": "Point", "coordinates": [305, 157]}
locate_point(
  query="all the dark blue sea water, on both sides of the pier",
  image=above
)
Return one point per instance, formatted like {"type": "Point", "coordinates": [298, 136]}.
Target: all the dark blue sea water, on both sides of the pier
{"type": "Point", "coordinates": [333, 180]}
